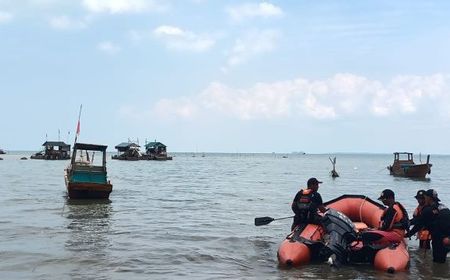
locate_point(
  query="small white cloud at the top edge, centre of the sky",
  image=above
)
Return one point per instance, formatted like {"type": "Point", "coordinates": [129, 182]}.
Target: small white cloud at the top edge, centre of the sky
{"type": "Point", "coordinates": [252, 10]}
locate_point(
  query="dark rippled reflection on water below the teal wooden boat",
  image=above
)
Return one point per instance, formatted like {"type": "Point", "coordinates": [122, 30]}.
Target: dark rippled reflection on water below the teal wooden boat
{"type": "Point", "coordinates": [88, 241]}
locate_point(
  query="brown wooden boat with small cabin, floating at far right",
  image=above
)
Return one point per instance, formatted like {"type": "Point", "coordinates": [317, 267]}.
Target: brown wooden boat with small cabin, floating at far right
{"type": "Point", "coordinates": [404, 166]}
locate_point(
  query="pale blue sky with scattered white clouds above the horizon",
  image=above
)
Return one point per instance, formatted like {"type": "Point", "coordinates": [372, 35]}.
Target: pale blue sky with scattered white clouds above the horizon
{"type": "Point", "coordinates": [227, 76]}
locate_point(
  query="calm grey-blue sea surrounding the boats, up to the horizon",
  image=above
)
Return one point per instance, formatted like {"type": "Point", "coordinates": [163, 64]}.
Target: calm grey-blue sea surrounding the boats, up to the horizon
{"type": "Point", "coordinates": [190, 218]}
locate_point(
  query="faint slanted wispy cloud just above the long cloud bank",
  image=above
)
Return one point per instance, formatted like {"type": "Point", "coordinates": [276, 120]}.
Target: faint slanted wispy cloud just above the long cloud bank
{"type": "Point", "coordinates": [252, 44]}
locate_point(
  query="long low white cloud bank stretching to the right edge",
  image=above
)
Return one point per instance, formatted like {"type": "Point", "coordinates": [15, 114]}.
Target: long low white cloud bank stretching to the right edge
{"type": "Point", "coordinates": [341, 96]}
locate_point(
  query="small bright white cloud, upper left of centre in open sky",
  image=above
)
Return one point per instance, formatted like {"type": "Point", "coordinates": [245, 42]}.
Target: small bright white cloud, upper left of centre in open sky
{"type": "Point", "coordinates": [179, 39]}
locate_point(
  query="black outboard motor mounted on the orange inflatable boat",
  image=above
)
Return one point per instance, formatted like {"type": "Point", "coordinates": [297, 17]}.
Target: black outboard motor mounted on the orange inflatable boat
{"type": "Point", "coordinates": [341, 232]}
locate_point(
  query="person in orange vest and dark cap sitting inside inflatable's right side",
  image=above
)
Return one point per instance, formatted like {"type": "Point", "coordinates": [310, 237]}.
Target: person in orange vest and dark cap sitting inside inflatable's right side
{"type": "Point", "coordinates": [395, 217]}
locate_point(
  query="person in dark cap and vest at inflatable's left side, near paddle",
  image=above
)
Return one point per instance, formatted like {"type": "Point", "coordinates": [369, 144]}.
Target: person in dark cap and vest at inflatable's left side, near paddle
{"type": "Point", "coordinates": [306, 203]}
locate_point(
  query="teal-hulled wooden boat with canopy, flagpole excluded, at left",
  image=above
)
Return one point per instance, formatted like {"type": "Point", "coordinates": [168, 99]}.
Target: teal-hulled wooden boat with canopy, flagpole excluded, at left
{"type": "Point", "coordinates": [85, 177]}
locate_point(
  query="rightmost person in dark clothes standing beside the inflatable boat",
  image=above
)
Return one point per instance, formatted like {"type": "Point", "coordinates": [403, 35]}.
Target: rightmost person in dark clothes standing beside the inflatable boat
{"type": "Point", "coordinates": [434, 217]}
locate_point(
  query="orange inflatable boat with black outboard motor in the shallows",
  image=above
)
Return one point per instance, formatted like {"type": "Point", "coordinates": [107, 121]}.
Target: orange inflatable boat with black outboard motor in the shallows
{"type": "Point", "coordinates": [347, 235]}
